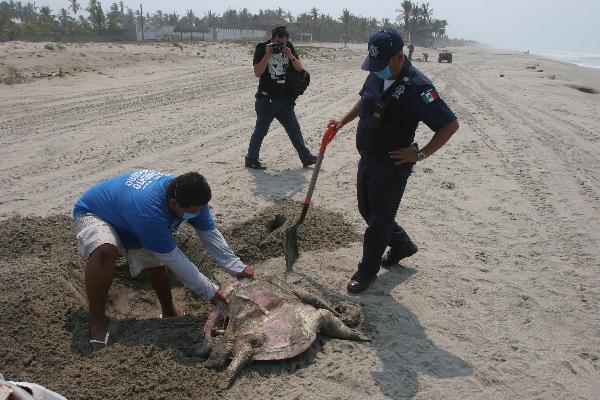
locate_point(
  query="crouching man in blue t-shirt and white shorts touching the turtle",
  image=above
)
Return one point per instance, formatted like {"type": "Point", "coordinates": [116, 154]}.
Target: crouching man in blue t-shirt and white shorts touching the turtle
{"type": "Point", "coordinates": [136, 214]}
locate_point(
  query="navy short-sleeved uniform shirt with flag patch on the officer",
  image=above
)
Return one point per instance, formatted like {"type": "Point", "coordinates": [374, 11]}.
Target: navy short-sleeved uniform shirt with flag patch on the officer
{"type": "Point", "coordinates": [413, 100]}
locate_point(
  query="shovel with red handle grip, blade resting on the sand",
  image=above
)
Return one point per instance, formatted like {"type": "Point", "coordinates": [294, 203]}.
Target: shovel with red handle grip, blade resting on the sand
{"type": "Point", "coordinates": [290, 247]}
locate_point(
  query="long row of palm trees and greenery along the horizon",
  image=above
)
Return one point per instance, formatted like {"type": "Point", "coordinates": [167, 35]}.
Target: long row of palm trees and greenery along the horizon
{"type": "Point", "coordinates": [414, 20]}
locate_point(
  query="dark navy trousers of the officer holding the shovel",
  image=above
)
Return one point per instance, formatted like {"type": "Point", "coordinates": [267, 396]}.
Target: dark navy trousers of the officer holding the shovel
{"type": "Point", "coordinates": [380, 186]}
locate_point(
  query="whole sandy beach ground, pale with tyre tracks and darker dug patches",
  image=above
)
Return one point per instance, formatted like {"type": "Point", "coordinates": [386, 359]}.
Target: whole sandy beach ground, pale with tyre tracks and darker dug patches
{"type": "Point", "coordinates": [501, 301]}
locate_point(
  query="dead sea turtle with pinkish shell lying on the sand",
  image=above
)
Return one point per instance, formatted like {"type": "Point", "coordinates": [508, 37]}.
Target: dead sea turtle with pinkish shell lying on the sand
{"type": "Point", "coordinates": [269, 319]}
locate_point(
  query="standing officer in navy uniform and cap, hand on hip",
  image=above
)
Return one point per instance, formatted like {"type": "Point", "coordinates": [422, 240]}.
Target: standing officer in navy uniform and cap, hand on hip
{"type": "Point", "coordinates": [394, 99]}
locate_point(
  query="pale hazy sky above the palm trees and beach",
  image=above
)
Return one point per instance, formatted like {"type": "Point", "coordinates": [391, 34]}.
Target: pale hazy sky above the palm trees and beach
{"type": "Point", "coordinates": [538, 25]}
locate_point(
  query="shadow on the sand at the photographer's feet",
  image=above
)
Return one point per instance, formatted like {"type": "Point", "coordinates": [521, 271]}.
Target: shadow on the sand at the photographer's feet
{"type": "Point", "coordinates": [280, 186]}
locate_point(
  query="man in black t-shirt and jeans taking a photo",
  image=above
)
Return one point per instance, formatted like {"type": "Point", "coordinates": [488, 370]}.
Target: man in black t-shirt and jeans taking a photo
{"type": "Point", "coordinates": [272, 60]}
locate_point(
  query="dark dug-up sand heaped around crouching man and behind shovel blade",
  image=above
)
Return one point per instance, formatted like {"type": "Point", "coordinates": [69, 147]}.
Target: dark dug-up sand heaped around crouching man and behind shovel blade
{"type": "Point", "coordinates": [43, 310]}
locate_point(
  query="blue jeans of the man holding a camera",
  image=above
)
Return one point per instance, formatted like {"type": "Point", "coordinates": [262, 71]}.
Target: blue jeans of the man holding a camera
{"type": "Point", "coordinates": [283, 111]}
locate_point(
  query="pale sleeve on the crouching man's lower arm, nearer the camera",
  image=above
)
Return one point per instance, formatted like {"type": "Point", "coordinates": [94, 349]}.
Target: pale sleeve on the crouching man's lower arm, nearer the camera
{"type": "Point", "coordinates": [187, 272]}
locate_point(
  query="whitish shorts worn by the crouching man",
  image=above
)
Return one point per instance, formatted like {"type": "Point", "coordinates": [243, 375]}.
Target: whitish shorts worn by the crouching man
{"type": "Point", "coordinates": [92, 232]}
